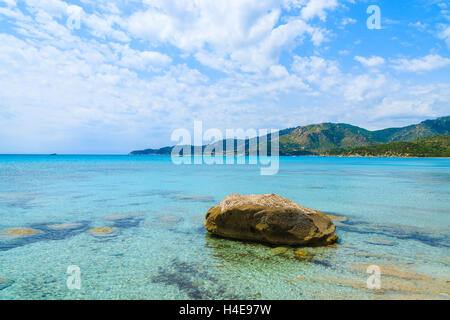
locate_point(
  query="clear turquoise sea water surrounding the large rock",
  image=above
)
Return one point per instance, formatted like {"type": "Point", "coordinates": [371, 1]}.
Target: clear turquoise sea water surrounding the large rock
{"type": "Point", "coordinates": [398, 218]}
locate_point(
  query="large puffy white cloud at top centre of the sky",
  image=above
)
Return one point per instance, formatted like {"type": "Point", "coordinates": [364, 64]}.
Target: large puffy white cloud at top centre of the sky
{"type": "Point", "coordinates": [243, 34]}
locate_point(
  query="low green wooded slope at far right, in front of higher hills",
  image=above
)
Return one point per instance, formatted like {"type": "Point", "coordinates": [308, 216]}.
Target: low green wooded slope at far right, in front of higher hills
{"type": "Point", "coordinates": [436, 146]}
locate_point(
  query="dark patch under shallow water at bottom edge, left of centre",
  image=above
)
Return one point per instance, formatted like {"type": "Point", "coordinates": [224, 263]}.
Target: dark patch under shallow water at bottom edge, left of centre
{"type": "Point", "coordinates": [190, 279]}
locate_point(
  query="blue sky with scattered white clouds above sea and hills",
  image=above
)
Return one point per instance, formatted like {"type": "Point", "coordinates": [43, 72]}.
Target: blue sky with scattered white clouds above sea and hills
{"type": "Point", "coordinates": [107, 77]}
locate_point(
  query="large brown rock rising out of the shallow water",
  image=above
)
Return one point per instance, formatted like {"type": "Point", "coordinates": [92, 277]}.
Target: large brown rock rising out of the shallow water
{"type": "Point", "coordinates": [269, 218]}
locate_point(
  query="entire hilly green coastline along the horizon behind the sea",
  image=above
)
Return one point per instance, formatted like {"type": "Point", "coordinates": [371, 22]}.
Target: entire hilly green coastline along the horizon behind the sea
{"type": "Point", "coordinates": [427, 139]}
